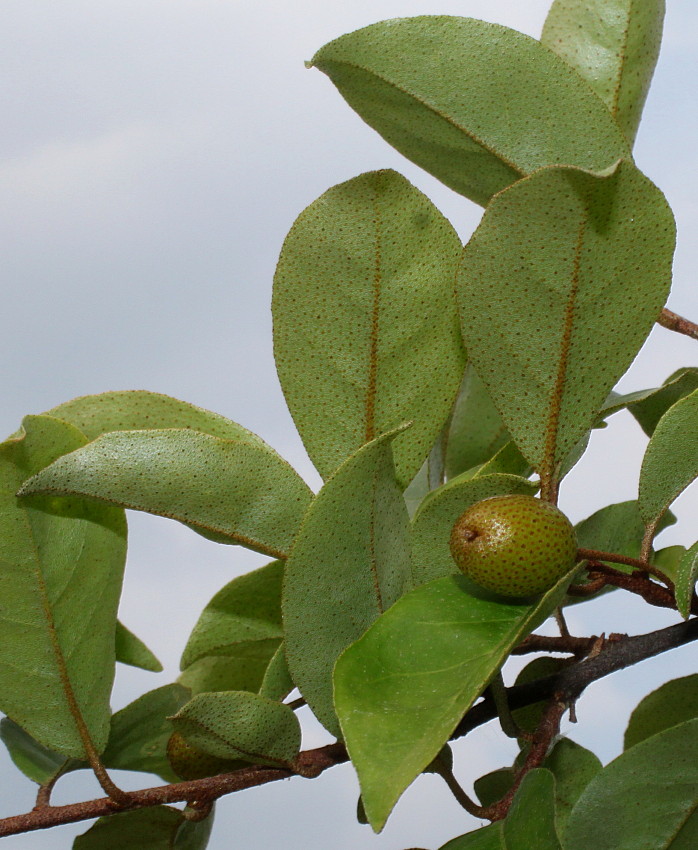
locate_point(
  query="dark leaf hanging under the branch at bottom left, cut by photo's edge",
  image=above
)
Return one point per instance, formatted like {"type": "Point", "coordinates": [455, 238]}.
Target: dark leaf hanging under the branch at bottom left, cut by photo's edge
{"type": "Point", "coordinates": [160, 828]}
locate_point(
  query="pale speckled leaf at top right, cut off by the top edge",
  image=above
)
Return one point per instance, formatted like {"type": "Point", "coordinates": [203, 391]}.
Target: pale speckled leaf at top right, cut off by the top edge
{"type": "Point", "coordinates": [613, 46]}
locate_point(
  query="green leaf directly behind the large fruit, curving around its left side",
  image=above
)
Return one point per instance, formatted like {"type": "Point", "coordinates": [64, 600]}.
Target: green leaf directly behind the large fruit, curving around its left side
{"type": "Point", "coordinates": [431, 526]}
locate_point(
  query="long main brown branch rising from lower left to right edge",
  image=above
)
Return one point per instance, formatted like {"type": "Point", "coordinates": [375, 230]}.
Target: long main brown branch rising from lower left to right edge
{"type": "Point", "coordinates": [564, 686]}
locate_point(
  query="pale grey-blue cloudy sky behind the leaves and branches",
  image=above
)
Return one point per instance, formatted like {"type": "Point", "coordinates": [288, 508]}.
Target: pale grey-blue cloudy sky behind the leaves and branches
{"type": "Point", "coordinates": [154, 155]}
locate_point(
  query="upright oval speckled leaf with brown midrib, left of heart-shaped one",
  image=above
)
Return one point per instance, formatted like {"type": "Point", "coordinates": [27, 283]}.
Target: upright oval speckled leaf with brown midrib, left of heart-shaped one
{"type": "Point", "coordinates": [366, 332]}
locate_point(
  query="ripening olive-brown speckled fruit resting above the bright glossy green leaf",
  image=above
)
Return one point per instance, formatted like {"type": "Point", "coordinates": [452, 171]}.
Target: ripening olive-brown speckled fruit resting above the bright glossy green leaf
{"type": "Point", "coordinates": [513, 545]}
